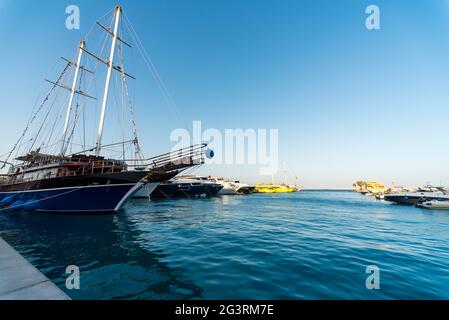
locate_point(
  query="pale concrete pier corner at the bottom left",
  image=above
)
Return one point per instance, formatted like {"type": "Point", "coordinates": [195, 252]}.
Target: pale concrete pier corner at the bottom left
{"type": "Point", "coordinates": [20, 280]}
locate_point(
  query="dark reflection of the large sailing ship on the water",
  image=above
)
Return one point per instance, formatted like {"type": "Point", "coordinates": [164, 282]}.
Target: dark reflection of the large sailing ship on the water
{"type": "Point", "coordinates": [108, 250]}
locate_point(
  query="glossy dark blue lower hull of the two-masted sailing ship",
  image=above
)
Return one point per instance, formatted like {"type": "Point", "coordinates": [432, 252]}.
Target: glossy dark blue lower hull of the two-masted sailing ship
{"type": "Point", "coordinates": [85, 199]}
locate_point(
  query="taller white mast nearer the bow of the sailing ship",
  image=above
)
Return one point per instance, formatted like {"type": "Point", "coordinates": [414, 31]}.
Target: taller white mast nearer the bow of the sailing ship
{"type": "Point", "coordinates": [118, 10]}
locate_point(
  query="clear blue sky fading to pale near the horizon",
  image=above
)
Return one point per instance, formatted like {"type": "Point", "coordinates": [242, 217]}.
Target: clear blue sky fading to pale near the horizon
{"type": "Point", "coordinates": [349, 103]}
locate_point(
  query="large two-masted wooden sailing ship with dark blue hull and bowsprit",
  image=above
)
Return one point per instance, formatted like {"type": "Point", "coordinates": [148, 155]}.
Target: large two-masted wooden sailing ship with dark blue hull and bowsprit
{"type": "Point", "coordinates": [86, 181]}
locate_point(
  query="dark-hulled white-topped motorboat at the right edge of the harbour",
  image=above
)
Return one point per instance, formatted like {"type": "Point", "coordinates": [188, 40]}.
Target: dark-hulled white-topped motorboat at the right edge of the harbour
{"type": "Point", "coordinates": [421, 195]}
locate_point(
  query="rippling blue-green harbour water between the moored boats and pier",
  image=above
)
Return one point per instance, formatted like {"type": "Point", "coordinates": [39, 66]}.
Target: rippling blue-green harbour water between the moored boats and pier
{"type": "Point", "coordinates": [307, 245]}
